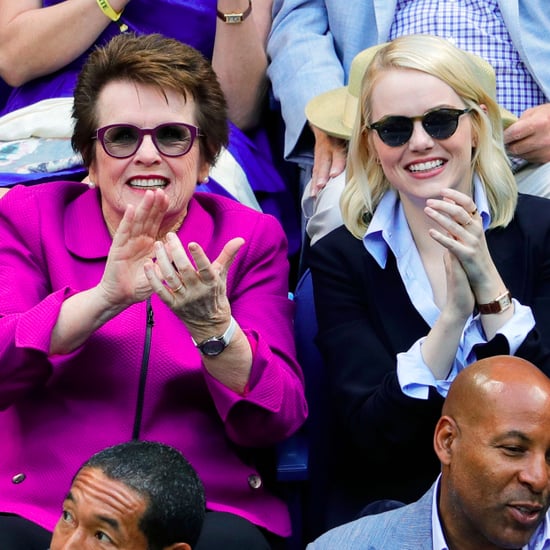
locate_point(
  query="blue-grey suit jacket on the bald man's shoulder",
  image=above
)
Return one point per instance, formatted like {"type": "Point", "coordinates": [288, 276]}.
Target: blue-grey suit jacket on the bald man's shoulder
{"type": "Point", "coordinates": [406, 528]}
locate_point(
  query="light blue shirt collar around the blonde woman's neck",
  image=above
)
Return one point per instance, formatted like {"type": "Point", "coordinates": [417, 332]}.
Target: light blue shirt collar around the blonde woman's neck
{"type": "Point", "coordinates": [389, 230]}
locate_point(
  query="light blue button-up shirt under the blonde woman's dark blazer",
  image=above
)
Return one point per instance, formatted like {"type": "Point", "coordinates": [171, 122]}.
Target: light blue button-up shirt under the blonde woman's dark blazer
{"type": "Point", "coordinates": [389, 232]}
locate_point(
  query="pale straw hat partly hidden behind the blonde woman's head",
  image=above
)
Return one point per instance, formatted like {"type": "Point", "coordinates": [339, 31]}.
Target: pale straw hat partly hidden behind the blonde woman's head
{"type": "Point", "coordinates": [334, 111]}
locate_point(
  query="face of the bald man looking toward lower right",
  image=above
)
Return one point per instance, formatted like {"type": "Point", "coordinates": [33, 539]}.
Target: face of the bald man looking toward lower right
{"type": "Point", "coordinates": [497, 480]}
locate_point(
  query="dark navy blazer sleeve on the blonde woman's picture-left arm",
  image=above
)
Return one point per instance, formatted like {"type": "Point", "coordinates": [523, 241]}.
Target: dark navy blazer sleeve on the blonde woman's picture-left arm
{"type": "Point", "coordinates": [365, 318]}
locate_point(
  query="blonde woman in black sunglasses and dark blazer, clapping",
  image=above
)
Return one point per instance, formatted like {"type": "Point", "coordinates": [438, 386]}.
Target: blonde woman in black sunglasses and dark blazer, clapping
{"type": "Point", "coordinates": [439, 262]}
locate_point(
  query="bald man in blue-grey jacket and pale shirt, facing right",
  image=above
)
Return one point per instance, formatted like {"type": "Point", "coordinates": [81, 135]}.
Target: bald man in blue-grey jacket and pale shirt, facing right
{"type": "Point", "coordinates": [493, 442]}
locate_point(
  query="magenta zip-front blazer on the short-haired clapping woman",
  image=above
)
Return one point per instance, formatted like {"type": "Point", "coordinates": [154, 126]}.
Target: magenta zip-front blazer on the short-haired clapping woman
{"type": "Point", "coordinates": [56, 411]}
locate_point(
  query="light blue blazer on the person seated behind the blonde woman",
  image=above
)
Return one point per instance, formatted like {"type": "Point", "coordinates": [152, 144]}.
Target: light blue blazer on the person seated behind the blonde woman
{"type": "Point", "coordinates": [313, 42]}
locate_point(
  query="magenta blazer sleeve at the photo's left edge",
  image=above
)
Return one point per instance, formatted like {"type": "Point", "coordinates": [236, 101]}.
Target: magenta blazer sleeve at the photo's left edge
{"type": "Point", "coordinates": [28, 305]}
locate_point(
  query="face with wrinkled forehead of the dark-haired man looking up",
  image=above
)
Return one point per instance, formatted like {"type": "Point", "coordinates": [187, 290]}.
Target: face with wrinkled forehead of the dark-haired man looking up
{"type": "Point", "coordinates": [100, 513]}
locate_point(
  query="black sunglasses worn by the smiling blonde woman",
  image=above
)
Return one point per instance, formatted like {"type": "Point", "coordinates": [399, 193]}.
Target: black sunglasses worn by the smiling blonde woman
{"type": "Point", "coordinates": [439, 124]}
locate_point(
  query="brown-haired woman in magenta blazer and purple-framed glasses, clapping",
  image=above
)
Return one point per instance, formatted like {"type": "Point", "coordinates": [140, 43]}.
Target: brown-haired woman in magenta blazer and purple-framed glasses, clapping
{"type": "Point", "coordinates": [137, 309]}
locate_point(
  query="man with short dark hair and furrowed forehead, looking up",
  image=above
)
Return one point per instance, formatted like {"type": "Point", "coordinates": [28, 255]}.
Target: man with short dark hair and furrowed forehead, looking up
{"type": "Point", "coordinates": [139, 495]}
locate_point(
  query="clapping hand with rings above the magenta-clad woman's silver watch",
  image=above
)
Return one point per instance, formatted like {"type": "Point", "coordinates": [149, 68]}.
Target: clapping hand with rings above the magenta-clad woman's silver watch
{"type": "Point", "coordinates": [197, 295]}
